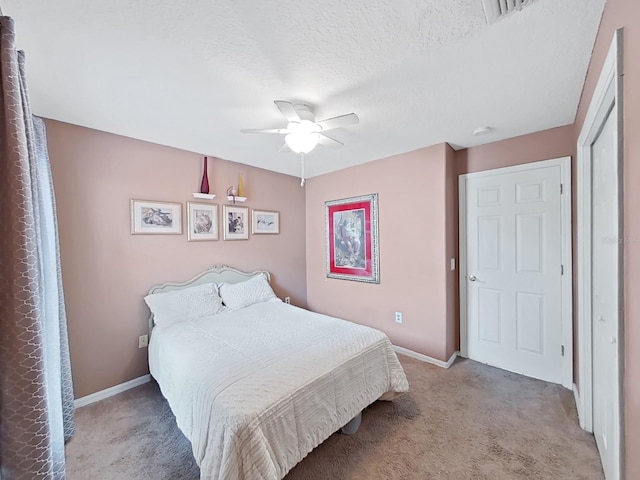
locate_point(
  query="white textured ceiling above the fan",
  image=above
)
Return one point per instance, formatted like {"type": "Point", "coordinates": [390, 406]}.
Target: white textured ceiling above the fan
{"type": "Point", "coordinates": [191, 74]}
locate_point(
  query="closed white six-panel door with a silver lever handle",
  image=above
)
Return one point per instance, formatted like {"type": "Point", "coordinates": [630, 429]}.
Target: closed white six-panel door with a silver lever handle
{"type": "Point", "coordinates": [513, 277]}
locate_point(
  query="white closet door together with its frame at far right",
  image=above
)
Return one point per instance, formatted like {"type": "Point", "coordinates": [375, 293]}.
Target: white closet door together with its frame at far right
{"type": "Point", "coordinates": [600, 284]}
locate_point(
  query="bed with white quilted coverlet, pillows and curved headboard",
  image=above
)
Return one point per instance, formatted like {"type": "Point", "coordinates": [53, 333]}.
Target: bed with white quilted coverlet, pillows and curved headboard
{"type": "Point", "coordinates": [255, 384]}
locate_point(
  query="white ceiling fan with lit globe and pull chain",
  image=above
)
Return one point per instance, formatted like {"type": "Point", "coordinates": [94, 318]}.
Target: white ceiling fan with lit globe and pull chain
{"type": "Point", "coordinates": [303, 133]}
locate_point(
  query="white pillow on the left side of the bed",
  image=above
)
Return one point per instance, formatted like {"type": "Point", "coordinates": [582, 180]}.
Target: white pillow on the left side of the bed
{"type": "Point", "coordinates": [178, 305]}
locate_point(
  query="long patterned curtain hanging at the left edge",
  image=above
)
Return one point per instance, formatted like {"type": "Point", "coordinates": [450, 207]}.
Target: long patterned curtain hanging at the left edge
{"type": "Point", "coordinates": [36, 393]}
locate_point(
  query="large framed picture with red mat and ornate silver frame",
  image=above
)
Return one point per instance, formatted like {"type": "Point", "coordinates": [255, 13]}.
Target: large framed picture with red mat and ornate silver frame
{"type": "Point", "coordinates": [352, 238]}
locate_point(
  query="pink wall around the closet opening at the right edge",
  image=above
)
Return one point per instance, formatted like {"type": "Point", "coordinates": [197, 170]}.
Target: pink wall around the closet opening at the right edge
{"type": "Point", "coordinates": [625, 13]}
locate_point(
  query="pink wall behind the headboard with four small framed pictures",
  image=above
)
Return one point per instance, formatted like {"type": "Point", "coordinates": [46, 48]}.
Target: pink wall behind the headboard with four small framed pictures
{"type": "Point", "coordinates": [107, 271]}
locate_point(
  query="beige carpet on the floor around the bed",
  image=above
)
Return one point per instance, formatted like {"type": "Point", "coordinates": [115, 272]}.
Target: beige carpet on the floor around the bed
{"type": "Point", "coordinates": [468, 422]}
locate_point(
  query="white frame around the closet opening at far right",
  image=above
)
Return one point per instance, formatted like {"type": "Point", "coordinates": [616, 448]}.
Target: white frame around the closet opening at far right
{"type": "Point", "coordinates": [607, 99]}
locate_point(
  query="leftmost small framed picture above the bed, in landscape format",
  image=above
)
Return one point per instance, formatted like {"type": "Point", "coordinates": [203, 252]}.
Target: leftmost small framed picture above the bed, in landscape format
{"type": "Point", "coordinates": [151, 217]}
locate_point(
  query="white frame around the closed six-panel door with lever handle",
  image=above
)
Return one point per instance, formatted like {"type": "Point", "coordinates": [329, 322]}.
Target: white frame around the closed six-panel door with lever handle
{"type": "Point", "coordinates": [566, 302]}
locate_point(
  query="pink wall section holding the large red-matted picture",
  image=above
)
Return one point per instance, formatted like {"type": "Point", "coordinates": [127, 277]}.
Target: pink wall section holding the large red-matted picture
{"type": "Point", "coordinates": [413, 265]}
